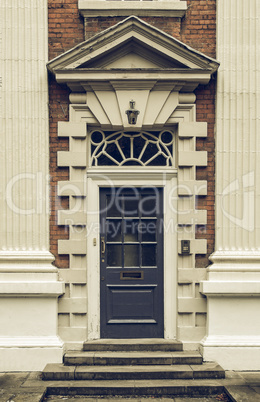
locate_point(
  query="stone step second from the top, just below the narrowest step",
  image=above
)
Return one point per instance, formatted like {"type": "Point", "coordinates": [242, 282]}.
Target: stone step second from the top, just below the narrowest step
{"type": "Point", "coordinates": [131, 358]}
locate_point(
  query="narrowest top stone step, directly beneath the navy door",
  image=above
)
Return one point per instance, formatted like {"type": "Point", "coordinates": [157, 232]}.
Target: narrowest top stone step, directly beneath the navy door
{"type": "Point", "coordinates": [137, 345]}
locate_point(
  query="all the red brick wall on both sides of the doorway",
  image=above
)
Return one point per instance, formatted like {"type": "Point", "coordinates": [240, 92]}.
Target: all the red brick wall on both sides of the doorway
{"type": "Point", "coordinates": [66, 29]}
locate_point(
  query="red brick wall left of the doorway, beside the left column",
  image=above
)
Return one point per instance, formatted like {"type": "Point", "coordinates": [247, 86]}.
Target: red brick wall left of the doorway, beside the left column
{"type": "Point", "coordinates": [66, 30]}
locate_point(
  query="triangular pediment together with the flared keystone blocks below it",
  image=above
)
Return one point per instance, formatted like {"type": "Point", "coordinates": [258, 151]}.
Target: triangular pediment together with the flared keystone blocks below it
{"type": "Point", "coordinates": [135, 61]}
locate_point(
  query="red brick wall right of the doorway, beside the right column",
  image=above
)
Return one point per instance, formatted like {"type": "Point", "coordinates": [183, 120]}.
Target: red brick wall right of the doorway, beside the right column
{"type": "Point", "coordinates": [198, 30]}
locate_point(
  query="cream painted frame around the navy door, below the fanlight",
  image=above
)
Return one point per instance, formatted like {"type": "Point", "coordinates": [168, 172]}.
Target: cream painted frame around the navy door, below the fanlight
{"type": "Point", "coordinates": [116, 177]}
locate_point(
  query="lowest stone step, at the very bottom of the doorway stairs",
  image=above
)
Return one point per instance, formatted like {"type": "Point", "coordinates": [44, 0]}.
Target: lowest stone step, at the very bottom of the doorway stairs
{"type": "Point", "coordinates": [153, 388]}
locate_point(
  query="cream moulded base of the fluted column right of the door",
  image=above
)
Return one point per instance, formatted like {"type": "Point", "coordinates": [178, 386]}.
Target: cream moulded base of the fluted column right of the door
{"type": "Point", "coordinates": [233, 305]}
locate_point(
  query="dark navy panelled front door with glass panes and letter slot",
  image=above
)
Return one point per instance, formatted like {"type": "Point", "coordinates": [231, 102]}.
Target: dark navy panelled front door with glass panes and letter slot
{"type": "Point", "coordinates": [131, 255]}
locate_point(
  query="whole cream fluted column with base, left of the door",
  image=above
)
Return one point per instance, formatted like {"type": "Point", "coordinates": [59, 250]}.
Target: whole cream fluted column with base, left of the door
{"type": "Point", "coordinates": [29, 286]}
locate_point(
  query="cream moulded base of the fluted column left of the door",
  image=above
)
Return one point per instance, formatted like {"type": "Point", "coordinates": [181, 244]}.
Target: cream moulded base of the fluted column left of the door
{"type": "Point", "coordinates": [29, 289]}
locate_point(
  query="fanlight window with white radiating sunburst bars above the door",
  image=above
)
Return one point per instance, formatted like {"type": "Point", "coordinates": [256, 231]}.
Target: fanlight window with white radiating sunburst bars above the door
{"type": "Point", "coordinates": [140, 148]}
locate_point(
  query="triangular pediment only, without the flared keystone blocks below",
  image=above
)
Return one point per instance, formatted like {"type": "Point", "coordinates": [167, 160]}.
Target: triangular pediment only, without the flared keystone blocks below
{"type": "Point", "coordinates": [132, 44]}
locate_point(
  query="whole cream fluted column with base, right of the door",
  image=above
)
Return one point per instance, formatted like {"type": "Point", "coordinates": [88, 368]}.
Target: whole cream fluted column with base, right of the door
{"type": "Point", "coordinates": [233, 286]}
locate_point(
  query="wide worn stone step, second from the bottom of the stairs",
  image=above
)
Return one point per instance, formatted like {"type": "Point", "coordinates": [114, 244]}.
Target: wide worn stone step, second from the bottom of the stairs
{"type": "Point", "coordinates": [59, 372]}
